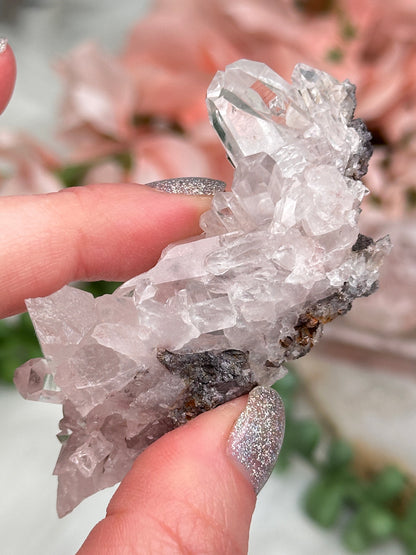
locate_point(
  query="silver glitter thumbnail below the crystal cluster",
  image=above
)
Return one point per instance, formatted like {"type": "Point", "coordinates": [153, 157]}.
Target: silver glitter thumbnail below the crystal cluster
{"type": "Point", "coordinates": [257, 435]}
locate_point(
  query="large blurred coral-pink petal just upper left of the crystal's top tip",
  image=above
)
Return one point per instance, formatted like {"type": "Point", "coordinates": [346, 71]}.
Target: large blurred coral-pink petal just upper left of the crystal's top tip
{"type": "Point", "coordinates": [172, 56]}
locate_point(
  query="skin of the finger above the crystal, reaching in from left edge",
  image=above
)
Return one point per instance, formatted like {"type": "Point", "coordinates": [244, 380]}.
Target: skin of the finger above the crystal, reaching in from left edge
{"type": "Point", "coordinates": [95, 232]}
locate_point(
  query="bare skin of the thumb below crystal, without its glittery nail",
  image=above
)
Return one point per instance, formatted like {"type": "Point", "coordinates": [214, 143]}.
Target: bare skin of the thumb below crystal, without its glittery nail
{"type": "Point", "coordinates": [185, 492]}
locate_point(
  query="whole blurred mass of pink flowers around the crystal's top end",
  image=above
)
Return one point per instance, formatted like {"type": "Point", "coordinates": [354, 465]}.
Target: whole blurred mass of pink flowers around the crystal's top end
{"type": "Point", "coordinates": [153, 95]}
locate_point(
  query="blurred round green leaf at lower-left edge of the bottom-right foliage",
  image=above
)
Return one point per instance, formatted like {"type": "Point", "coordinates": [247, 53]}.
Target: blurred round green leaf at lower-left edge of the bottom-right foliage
{"type": "Point", "coordinates": [323, 502]}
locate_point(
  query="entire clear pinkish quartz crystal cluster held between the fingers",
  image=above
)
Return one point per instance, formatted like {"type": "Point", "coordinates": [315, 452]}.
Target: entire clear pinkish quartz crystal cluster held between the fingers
{"type": "Point", "coordinates": [280, 256]}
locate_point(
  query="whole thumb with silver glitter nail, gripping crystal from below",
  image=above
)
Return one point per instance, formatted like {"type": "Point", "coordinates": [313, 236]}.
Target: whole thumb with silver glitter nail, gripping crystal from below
{"type": "Point", "coordinates": [194, 490]}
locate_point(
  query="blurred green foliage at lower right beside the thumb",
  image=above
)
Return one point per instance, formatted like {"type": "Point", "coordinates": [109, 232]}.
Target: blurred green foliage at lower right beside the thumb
{"type": "Point", "coordinates": [339, 494]}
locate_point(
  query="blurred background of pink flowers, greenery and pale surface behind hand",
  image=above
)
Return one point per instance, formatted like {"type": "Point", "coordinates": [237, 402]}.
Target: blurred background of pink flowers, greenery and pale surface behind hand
{"type": "Point", "coordinates": [115, 91]}
